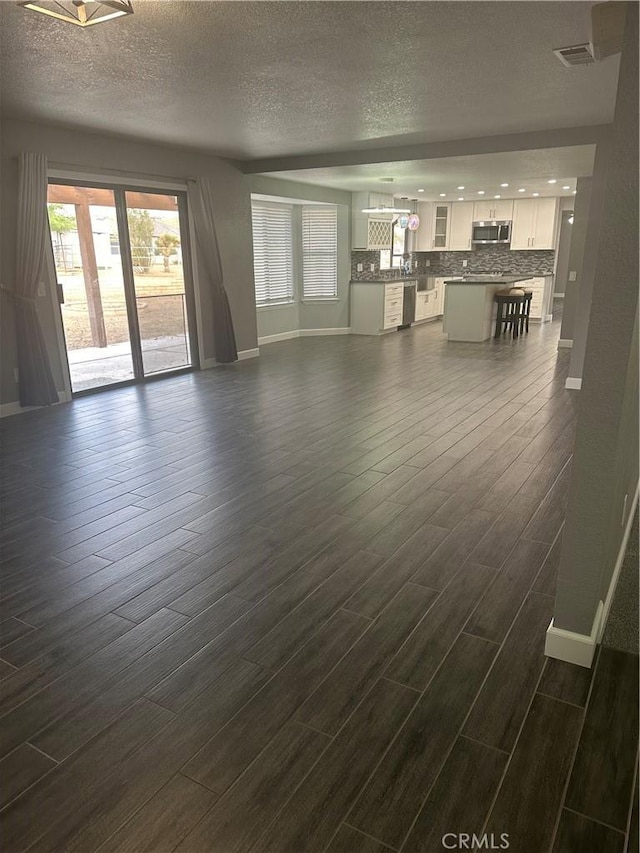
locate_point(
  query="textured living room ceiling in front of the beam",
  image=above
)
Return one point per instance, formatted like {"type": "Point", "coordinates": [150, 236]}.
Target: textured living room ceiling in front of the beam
{"type": "Point", "coordinates": [255, 80]}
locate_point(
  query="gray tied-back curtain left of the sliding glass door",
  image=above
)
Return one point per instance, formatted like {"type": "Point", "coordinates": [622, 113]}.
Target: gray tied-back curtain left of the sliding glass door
{"type": "Point", "coordinates": [37, 387]}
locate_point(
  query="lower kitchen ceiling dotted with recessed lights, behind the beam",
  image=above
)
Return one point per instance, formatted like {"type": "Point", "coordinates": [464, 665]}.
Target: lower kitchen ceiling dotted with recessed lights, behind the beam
{"type": "Point", "coordinates": [531, 170]}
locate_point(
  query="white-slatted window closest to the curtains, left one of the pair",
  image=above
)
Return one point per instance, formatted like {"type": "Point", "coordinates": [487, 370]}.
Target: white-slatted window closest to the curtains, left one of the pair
{"type": "Point", "coordinates": [272, 252]}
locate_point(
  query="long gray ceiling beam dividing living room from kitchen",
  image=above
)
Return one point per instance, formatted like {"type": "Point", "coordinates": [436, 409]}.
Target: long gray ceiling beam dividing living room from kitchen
{"type": "Point", "coordinates": [558, 138]}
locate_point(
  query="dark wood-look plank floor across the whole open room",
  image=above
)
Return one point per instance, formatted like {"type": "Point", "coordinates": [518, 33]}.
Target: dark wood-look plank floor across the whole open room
{"type": "Point", "coordinates": [299, 604]}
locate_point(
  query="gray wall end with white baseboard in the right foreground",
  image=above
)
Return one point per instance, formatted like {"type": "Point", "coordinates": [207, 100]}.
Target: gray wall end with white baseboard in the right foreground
{"type": "Point", "coordinates": [605, 465]}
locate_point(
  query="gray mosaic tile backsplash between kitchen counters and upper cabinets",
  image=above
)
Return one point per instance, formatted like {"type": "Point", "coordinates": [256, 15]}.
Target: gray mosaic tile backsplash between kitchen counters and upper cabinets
{"type": "Point", "coordinates": [483, 259]}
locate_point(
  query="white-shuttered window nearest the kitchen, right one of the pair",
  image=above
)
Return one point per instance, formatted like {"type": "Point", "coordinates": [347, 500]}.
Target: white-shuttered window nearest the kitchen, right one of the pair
{"type": "Point", "coordinates": [319, 252]}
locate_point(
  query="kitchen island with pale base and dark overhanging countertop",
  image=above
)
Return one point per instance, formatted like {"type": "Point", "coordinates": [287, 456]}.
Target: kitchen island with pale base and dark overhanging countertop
{"type": "Point", "coordinates": [469, 309]}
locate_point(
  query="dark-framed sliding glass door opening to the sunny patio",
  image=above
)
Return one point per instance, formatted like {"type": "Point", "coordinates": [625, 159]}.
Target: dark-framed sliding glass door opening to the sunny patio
{"type": "Point", "coordinates": [120, 265]}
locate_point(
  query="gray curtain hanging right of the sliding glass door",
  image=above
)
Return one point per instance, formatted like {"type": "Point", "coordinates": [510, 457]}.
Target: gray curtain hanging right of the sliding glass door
{"type": "Point", "coordinates": [201, 201]}
